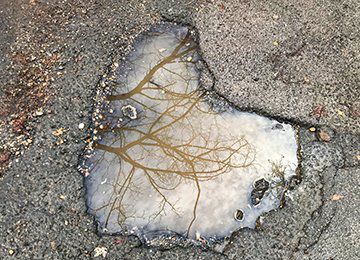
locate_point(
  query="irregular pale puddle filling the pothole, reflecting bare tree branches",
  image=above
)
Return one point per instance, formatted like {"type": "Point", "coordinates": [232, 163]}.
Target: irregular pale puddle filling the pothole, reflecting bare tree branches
{"type": "Point", "coordinates": [167, 160]}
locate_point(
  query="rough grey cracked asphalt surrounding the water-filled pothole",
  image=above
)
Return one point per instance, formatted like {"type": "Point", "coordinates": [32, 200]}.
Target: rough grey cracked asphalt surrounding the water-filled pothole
{"type": "Point", "coordinates": [296, 61]}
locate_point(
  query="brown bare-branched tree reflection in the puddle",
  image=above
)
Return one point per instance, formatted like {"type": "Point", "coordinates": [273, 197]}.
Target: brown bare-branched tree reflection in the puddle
{"type": "Point", "coordinates": [176, 139]}
